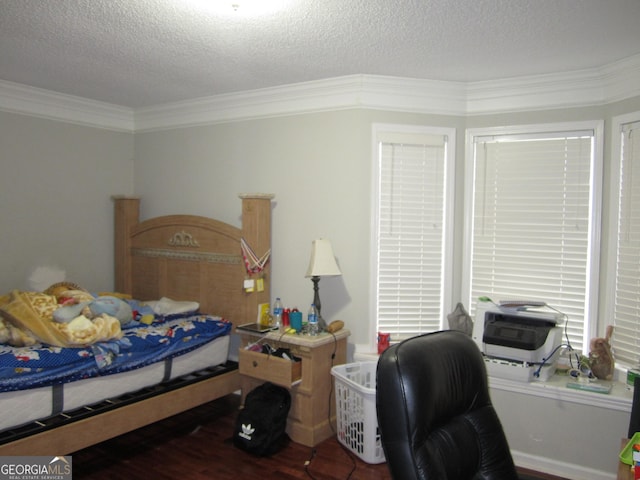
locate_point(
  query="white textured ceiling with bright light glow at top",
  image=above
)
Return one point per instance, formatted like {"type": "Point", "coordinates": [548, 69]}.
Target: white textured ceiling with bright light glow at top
{"type": "Point", "coordinates": [139, 53]}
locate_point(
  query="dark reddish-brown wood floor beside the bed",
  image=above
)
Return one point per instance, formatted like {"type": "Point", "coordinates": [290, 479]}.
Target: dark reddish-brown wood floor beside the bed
{"type": "Point", "coordinates": [197, 445]}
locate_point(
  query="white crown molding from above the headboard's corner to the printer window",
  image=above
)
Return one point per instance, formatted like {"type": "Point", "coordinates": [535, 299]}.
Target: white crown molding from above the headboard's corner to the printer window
{"type": "Point", "coordinates": [339, 93]}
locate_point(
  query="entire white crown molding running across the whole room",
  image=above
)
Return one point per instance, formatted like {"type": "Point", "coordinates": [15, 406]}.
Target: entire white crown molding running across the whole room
{"type": "Point", "coordinates": [612, 83]}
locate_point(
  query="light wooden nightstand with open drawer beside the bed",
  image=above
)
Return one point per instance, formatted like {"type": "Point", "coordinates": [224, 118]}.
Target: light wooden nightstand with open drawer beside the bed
{"type": "Point", "coordinates": [312, 397]}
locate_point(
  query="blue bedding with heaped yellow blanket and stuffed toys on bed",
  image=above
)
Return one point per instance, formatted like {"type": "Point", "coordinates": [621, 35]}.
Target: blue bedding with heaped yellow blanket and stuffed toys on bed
{"type": "Point", "coordinates": [66, 334]}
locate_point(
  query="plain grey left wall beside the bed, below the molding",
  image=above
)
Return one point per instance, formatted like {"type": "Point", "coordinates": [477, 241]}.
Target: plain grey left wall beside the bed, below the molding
{"type": "Point", "coordinates": [56, 180]}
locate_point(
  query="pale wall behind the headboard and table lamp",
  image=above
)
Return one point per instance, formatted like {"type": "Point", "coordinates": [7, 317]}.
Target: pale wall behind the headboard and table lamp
{"type": "Point", "coordinates": [316, 165]}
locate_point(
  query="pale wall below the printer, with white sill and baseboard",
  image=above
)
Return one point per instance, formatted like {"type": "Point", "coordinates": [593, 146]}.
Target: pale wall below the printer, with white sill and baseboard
{"type": "Point", "coordinates": [568, 433]}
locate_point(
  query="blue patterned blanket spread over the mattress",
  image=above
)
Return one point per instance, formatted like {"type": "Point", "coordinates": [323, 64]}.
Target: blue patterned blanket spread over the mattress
{"type": "Point", "coordinates": [141, 345]}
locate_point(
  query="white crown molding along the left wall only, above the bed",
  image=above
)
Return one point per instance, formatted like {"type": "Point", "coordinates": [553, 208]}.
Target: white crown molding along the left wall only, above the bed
{"type": "Point", "coordinates": [18, 98]}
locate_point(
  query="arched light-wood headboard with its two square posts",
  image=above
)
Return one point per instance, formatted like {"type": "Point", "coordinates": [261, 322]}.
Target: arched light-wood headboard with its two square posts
{"type": "Point", "coordinates": [188, 257]}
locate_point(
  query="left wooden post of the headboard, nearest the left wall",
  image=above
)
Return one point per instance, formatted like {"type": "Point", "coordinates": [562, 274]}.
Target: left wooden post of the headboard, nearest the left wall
{"type": "Point", "coordinates": [126, 214]}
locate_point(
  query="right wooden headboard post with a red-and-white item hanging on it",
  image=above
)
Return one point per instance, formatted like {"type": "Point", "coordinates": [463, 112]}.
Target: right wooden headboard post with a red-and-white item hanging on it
{"type": "Point", "coordinates": [256, 230]}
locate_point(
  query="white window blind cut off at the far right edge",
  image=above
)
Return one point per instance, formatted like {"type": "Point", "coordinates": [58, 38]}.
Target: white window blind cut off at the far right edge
{"type": "Point", "coordinates": [626, 337]}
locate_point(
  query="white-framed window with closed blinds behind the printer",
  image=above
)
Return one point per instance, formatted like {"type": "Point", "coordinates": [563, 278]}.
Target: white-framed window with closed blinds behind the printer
{"type": "Point", "coordinates": [533, 219]}
